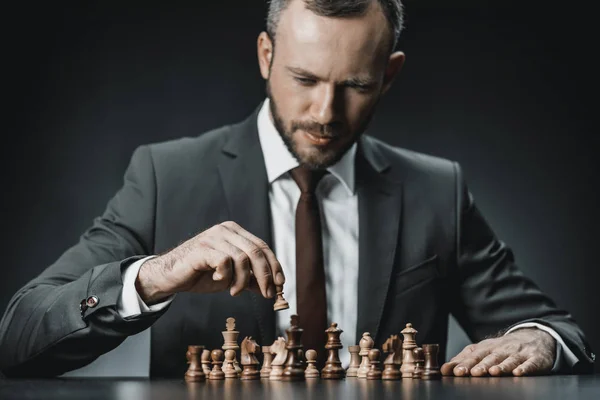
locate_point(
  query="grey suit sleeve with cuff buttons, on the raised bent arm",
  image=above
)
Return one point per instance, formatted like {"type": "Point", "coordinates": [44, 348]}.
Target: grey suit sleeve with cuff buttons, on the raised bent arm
{"type": "Point", "coordinates": [49, 327]}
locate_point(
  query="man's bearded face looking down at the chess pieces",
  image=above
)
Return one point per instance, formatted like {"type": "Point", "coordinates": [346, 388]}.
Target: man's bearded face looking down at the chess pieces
{"type": "Point", "coordinates": [325, 78]}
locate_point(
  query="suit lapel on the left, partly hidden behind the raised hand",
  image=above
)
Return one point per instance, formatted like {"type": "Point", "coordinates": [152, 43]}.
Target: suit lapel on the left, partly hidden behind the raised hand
{"type": "Point", "coordinates": [245, 183]}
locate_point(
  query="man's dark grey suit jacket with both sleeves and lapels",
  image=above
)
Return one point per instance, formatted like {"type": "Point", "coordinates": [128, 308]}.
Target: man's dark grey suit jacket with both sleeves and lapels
{"type": "Point", "coordinates": [425, 252]}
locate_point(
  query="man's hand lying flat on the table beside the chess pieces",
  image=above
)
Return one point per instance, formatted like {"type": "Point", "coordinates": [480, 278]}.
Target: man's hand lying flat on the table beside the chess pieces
{"type": "Point", "coordinates": [527, 351]}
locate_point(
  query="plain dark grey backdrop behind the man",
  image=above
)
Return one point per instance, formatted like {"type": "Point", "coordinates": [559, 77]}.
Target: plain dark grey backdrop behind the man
{"type": "Point", "coordinates": [504, 88]}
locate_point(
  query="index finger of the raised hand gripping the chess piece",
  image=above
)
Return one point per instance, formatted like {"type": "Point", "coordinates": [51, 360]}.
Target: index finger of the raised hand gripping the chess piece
{"type": "Point", "coordinates": [258, 261]}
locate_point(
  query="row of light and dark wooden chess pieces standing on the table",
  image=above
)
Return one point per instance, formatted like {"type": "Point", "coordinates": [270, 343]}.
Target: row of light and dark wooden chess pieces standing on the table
{"type": "Point", "coordinates": [287, 361]}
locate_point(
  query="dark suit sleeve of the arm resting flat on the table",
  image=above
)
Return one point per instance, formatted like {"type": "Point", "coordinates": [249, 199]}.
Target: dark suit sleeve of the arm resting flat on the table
{"type": "Point", "coordinates": [494, 294]}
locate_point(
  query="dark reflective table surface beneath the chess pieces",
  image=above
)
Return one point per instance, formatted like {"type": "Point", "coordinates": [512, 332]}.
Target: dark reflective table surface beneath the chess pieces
{"type": "Point", "coordinates": [543, 387]}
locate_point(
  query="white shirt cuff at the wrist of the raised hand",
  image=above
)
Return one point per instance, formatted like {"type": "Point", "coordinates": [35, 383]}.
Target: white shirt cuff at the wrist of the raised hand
{"type": "Point", "coordinates": [130, 304]}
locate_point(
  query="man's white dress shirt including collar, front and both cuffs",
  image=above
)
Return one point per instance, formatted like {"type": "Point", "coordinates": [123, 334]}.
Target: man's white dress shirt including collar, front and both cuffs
{"type": "Point", "coordinates": [338, 204]}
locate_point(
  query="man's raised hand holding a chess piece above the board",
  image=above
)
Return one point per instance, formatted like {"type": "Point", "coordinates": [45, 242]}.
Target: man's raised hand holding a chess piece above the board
{"type": "Point", "coordinates": [223, 257]}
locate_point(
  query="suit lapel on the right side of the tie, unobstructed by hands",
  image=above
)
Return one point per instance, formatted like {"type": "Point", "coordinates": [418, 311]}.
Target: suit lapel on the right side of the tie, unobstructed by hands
{"type": "Point", "coordinates": [379, 207]}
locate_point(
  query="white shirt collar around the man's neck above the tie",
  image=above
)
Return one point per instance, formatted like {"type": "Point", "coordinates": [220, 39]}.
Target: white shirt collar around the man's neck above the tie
{"type": "Point", "coordinates": [279, 160]}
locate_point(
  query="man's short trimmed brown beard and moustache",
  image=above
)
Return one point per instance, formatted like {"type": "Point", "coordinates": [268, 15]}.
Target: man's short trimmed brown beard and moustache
{"type": "Point", "coordinates": [320, 159]}
